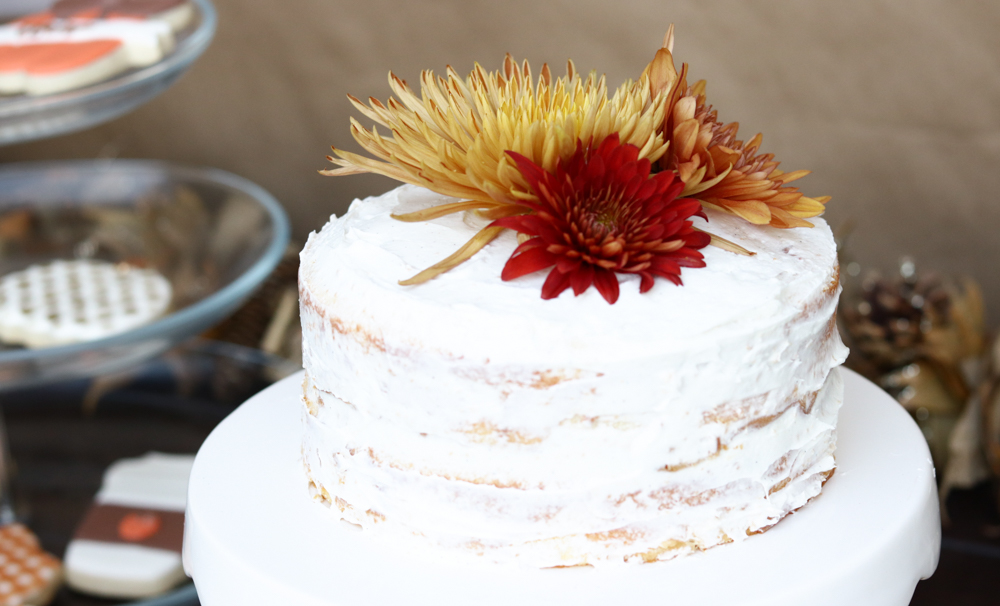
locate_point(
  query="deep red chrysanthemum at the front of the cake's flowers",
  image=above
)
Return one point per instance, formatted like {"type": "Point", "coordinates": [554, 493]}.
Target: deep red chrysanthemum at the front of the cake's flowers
{"type": "Point", "coordinates": [599, 214]}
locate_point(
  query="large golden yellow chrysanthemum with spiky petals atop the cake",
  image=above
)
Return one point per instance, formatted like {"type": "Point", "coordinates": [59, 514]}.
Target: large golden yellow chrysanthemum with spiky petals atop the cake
{"type": "Point", "coordinates": [454, 138]}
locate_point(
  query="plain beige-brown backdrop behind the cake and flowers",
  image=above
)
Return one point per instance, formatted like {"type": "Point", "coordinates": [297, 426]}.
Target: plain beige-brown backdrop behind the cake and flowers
{"type": "Point", "coordinates": [895, 106]}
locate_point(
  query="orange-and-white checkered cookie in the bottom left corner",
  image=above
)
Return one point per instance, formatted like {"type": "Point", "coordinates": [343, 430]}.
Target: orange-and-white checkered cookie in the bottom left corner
{"type": "Point", "coordinates": [28, 575]}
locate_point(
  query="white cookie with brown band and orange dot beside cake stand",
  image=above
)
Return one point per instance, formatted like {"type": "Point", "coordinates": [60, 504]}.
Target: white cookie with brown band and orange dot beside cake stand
{"type": "Point", "coordinates": [129, 542]}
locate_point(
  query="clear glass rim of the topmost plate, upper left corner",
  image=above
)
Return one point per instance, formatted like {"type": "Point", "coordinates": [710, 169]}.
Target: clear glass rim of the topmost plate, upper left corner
{"type": "Point", "coordinates": [24, 118]}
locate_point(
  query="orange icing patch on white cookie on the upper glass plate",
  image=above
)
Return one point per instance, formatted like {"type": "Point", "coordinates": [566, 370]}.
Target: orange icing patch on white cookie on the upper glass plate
{"type": "Point", "coordinates": [52, 58]}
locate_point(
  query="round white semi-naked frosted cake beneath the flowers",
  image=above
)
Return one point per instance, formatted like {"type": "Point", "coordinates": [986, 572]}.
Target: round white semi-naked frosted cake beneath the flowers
{"type": "Point", "coordinates": [471, 412]}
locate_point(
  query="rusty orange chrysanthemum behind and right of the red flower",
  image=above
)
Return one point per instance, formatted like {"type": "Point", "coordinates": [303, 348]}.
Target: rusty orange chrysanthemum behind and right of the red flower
{"type": "Point", "coordinates": [715, 166]}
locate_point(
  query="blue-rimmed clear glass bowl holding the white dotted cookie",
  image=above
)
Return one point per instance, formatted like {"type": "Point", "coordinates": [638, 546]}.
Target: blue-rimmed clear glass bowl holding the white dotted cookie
{"type": "Point", "coordinates": [213, 235]}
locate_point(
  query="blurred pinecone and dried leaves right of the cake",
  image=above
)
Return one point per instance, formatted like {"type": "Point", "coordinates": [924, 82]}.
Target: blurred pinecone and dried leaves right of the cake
{"type": "Point", "coordinates": [921, 337]}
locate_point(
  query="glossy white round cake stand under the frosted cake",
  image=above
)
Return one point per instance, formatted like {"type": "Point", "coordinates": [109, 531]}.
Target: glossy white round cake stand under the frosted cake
{"type": "Point", "coordinates": [253, 537]}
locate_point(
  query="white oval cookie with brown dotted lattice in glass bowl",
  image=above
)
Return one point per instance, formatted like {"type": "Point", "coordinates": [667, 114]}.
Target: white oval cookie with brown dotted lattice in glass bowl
{"type": "Point", "coordinates": [74, 301]}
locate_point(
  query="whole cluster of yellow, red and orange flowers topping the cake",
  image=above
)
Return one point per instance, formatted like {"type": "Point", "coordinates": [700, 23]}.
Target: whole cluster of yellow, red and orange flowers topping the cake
{"type": "Point", "coordinates": [594, 186]}
